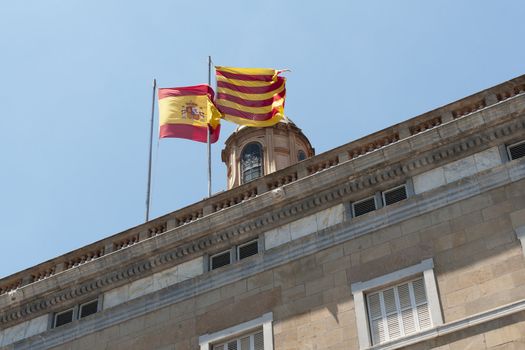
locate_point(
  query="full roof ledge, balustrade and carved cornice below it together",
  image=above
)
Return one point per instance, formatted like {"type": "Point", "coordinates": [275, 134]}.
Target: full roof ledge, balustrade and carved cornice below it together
{"type": "Point", "coordinates": [179, 236]}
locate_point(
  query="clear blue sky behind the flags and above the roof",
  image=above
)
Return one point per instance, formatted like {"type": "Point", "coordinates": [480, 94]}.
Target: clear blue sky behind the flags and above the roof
{"type": "Point", "coordinates": [75, 93]}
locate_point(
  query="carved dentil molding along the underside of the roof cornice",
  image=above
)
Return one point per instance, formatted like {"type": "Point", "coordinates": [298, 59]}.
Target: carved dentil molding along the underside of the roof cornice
{"type": "Point", "coordinates": [345, 188]}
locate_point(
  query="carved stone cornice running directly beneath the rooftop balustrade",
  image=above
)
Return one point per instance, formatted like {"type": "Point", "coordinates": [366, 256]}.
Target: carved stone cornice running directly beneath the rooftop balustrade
{"type": "Point", "coordinates": [347, 181]}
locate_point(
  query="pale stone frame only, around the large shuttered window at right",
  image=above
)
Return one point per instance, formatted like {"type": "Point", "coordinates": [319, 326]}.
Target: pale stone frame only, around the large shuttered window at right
{"type": "Point", "coordinates": [359, 290]}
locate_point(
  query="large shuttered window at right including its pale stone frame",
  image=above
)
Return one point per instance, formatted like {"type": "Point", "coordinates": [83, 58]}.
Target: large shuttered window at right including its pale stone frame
{"type": "Point", "coordinates": [396, 305]}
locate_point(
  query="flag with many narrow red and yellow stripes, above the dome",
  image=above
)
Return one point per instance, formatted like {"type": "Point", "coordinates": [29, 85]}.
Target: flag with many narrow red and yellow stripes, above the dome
{"type": "Point", "coordinates": [250, 96]}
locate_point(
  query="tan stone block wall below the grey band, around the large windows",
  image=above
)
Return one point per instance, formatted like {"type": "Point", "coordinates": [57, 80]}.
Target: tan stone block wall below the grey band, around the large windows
{"type": "Point", "coordinates": [479, 266]}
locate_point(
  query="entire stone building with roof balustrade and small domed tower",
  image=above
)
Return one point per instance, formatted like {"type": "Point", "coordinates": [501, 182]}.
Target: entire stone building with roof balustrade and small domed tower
{"type": "Point", "coordinates": [411, 237]}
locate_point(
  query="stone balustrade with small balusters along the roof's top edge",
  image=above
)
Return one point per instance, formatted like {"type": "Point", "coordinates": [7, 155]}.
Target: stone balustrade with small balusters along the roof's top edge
{"type": "Point", "coordinates": [284, 177]}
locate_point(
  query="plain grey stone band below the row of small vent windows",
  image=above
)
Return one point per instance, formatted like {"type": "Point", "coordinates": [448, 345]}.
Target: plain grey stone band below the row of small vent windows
{"type": "Point", "coordinates": [349, 229]}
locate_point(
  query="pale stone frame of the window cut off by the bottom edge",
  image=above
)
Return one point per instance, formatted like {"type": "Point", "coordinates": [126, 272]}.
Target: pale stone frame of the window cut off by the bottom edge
{"type": "Point", "coordinates": [207, 341]}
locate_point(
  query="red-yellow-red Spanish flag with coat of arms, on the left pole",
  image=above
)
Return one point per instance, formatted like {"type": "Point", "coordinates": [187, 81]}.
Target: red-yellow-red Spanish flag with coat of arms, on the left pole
{"type": "Point", "coordinates": [188, 113]}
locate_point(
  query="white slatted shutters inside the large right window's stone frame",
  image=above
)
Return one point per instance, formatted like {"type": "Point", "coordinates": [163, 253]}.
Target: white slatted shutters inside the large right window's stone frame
{"type": "Point", "coordinates": [398, 311]}
